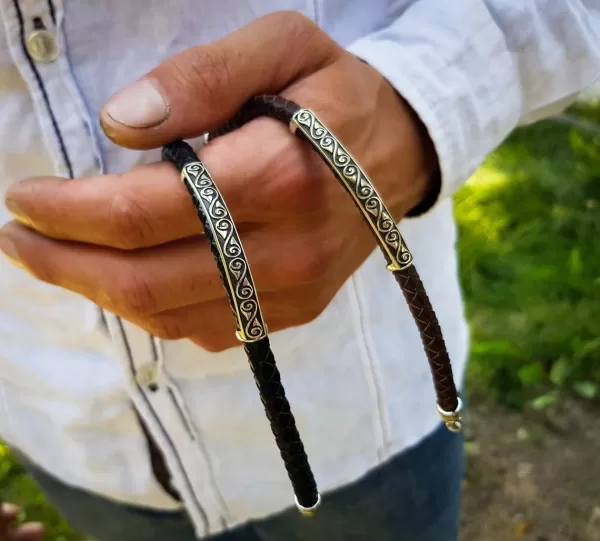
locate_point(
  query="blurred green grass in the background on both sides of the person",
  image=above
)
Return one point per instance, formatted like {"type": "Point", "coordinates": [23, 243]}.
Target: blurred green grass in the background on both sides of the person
{"type": "Point", "coordinates": [529, 246]}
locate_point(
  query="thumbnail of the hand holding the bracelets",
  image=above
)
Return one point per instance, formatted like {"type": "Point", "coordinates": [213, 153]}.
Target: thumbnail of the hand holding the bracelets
{"type": "Point", "coordinates": [140, 105]}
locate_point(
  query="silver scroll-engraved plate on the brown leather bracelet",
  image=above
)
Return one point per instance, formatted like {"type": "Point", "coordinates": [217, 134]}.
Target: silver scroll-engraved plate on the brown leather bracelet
{"type": "Point", "coordinates": [356, 182]}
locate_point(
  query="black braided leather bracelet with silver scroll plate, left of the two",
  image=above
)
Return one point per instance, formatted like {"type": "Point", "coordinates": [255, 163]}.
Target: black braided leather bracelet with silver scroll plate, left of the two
{"type": "Point", "coordinates": [226, 247]}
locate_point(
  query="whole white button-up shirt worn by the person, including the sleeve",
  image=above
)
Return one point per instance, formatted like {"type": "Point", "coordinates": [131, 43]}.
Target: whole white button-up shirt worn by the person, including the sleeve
{"type": "Point", "coordinates": [472, 69]}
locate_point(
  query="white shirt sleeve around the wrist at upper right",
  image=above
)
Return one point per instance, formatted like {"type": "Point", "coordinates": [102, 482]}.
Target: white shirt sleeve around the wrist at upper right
{"type": "Point", "coordinates": [473, 70]}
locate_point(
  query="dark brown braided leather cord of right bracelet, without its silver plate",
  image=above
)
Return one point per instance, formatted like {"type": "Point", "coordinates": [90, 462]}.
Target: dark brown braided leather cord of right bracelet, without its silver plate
{"type": "Point", "coordinates": [408, 279]}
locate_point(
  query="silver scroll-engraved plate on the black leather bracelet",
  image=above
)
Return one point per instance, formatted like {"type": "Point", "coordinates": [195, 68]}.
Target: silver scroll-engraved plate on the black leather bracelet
{"type": "Point", "coordinates": [238, 279]}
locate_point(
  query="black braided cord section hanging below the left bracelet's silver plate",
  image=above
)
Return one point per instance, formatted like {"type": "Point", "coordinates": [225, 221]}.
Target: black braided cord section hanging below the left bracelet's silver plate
{"type": "Point", "coordinates": [277, 408]}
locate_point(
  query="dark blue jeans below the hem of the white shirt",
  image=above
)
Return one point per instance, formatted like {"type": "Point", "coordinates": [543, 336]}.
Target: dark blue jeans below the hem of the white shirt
{"type": "Point", "coordinates": [415, 496]}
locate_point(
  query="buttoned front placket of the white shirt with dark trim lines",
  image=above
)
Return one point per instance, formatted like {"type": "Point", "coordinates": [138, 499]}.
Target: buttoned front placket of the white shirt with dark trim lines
{"type": "Point", "coordinates": [37, 44]}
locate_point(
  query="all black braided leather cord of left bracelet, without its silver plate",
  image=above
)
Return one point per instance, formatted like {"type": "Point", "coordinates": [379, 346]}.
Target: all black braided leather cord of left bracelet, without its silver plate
{"type": "Point", "coordinates": [262, 363]}
